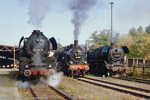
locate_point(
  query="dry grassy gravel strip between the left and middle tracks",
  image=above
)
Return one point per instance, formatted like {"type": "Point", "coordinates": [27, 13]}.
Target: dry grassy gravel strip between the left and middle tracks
{"type": "Point", "coordinates": [84, 91]}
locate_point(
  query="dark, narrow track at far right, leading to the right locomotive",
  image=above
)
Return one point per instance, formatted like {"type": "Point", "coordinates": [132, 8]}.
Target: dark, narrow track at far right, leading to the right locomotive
{"type": "Point", "coordinates": [146, 81]}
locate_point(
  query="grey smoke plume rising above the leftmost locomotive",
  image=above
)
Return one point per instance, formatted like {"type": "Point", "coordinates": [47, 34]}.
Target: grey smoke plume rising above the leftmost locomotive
{"type": "Point", "coordinates": [38, 9]}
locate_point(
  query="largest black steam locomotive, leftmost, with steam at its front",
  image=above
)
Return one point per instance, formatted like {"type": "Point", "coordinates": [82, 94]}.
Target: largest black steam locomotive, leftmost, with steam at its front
{"type": "Point", "coordinates": [35, 56]}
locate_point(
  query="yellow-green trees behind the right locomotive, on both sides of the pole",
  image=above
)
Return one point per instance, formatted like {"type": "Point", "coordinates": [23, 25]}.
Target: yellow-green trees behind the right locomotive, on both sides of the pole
{"type": "Point", "coordinates": [137, 40]}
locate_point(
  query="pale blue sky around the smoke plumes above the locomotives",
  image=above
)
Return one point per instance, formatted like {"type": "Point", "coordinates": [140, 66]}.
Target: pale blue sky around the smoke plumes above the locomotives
{"type": "Point", "coordinates": [57, 23]}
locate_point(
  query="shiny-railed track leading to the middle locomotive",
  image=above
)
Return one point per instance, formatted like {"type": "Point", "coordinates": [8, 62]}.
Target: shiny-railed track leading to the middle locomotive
{"type": "Point", "coordinates": [144, 93]}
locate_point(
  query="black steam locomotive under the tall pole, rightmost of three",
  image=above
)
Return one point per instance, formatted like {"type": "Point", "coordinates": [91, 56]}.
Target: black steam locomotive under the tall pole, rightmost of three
{"type": "Point", "coordinates": [108, 60]}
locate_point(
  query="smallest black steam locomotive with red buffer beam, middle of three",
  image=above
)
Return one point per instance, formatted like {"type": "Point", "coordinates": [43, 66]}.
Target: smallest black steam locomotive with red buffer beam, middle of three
{"type": "Point", "coordinates": [72, 60]}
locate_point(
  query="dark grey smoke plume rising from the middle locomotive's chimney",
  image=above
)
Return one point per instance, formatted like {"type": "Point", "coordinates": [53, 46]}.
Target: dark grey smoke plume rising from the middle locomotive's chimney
{"type": "Point", "coordinates": [80, 10]}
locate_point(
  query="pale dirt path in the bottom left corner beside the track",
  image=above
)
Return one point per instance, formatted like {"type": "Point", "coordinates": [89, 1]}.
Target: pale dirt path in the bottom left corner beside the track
{"type": "Point", "coordinates": [8, 86]}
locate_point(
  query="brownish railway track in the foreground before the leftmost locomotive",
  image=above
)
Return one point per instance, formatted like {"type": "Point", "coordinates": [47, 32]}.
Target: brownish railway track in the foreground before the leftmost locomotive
{"type": "Point", "coordinates": [48, 93]}
